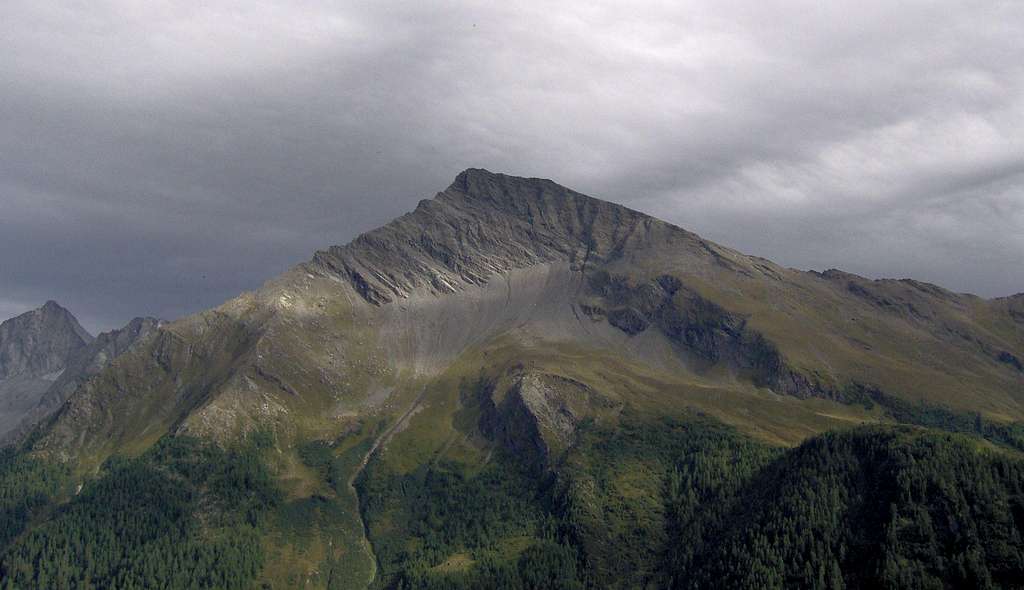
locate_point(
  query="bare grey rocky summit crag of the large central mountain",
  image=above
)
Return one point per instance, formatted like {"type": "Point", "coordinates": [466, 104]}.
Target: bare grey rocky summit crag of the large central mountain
{"type": "Point", "coordinates": [483, 225]}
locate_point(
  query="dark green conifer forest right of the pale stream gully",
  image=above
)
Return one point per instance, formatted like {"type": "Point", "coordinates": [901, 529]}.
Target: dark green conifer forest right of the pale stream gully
{"type": "Point", "coordinates": [695, 505]}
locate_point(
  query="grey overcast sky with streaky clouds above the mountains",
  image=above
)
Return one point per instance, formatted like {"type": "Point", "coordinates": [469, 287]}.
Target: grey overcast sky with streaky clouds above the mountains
{"type": "Point", "coordinates": [158, 158]}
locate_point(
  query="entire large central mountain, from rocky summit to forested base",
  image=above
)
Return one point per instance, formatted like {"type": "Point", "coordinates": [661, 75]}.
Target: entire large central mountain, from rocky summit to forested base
{"type": "Point", "coordinates": [517, 386]}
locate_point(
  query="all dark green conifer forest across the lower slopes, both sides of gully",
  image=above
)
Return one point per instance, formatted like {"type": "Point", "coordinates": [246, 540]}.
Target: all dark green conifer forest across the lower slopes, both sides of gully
{"type": "Point", "coordinates": [665, 503]}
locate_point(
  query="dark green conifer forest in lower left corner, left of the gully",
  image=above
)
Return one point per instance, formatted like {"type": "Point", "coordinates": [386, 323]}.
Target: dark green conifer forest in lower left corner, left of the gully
{"type": "Point", "coordinates": [185, 515]}
